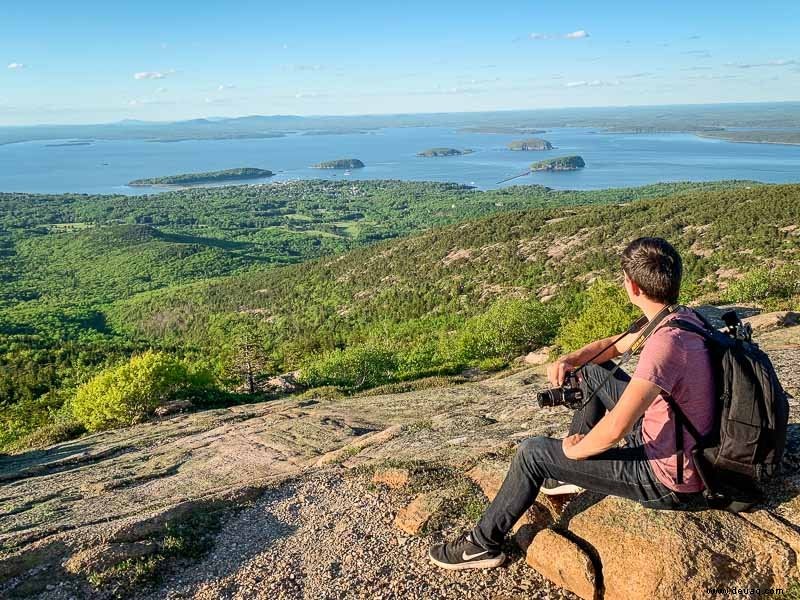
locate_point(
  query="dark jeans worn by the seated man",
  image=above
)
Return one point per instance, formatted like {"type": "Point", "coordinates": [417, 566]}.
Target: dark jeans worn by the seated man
{"type": "Point", "coordinates": [624, 471]}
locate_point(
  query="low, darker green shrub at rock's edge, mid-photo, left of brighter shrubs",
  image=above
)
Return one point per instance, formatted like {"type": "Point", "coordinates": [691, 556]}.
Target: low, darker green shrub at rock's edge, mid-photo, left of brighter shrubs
{"type": "Point", "coordinates": [356, 367]}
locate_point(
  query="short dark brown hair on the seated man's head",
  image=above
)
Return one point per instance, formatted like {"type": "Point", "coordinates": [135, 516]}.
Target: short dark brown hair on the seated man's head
{"type": "Point", "coordinates": [655, 266]}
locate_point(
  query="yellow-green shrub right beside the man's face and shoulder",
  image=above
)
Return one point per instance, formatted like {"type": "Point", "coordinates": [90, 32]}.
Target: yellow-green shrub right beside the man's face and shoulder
{"type": "Point", "coordinates": [604, 310]}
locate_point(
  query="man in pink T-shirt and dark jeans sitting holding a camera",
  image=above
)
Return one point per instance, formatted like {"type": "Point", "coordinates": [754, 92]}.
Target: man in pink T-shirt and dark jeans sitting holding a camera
{"type": "Point", "coordinates": [673, 362]}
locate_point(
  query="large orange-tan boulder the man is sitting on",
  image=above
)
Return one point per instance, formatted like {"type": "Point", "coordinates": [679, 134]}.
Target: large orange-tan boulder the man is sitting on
{"type": "Point", "coordinates": [646, 553]}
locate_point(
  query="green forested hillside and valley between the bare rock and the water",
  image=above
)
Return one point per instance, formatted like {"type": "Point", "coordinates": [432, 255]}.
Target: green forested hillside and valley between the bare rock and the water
{"type": "Point", "coordinates": [111, 304]}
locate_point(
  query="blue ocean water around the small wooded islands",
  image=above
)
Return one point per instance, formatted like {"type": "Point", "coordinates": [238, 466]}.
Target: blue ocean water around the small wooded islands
{"type": "Point", "coordinates": [612, 160]}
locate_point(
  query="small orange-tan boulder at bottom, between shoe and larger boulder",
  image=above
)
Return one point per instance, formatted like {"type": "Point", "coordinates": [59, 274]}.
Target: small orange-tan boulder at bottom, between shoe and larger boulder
{"type": "Point", "coordinates": [563, 562]}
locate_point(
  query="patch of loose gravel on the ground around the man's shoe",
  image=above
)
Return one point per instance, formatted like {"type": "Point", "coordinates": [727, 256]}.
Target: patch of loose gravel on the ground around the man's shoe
{"type": "Point", "coordinates": [330, 535]}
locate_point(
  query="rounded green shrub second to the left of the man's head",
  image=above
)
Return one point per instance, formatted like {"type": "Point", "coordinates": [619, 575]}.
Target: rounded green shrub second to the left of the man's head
{"type": "Point", "coordinates": [507, 329]}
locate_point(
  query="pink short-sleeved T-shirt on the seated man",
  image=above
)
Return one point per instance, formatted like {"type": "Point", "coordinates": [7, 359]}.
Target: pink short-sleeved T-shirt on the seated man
{"type": "Point", "coordinates": [678, 362]}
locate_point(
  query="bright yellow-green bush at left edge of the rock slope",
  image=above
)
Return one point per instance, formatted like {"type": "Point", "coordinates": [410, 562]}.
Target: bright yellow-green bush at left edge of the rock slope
{"type": "Point", "coordinates": [128, 393]}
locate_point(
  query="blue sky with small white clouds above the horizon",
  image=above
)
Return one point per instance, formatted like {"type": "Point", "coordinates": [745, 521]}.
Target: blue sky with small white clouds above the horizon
{"type": "Point", "coordinates": [90, 61]}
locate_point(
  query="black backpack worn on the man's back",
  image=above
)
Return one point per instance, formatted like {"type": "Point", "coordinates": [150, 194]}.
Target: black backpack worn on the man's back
{"type": "Point", "coordinates": [746, 444]}
